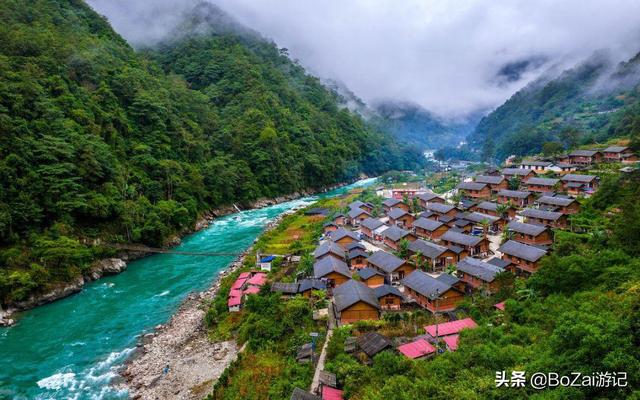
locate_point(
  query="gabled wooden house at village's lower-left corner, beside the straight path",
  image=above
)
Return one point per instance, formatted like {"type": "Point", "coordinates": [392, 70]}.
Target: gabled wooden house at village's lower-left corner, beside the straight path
{"type": "Point", "coordinates": [354, 301]}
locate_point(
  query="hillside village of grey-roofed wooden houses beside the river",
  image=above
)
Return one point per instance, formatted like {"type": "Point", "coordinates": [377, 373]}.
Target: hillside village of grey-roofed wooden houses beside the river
{"type": "Point", "coordinates": [408, 248]}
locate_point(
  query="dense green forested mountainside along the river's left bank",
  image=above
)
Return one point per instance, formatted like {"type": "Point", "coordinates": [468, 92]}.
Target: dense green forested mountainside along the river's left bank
{"type": "Point", "coordinates": [102, 143]}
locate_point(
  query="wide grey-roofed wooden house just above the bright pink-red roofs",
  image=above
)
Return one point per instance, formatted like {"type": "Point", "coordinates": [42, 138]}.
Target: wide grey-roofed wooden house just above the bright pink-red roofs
{"type": "Point", "coordinates": [431, 293]}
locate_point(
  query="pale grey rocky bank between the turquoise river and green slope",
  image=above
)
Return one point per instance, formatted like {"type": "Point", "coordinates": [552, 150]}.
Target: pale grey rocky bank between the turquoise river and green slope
{"type": "Point", "coordinates": [178, 361]}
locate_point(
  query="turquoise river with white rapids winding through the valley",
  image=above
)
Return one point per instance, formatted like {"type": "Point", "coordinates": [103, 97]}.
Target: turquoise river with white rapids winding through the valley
{"type": "Point", "coordinates": [71, 349]}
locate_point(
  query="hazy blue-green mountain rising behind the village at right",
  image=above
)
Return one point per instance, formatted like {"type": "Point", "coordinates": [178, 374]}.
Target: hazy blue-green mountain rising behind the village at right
{"type": "Point", "coordinates": [580, 106]}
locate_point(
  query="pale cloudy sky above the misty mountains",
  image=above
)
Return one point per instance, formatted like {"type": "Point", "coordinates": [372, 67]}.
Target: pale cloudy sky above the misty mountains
{"type": "Point", "coordinates": [452, 57]}
